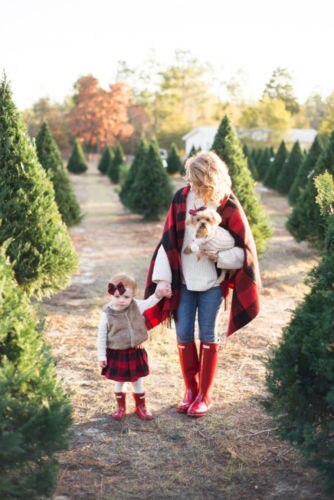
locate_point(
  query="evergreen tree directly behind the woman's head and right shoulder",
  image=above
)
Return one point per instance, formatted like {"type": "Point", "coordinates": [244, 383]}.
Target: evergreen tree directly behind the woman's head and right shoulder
{"type": "Point", "coordinates": [228, 148]}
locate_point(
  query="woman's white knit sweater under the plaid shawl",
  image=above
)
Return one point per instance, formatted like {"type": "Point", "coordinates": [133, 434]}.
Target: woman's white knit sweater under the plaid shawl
{"type": "Point", "coordinates": [199, 275]}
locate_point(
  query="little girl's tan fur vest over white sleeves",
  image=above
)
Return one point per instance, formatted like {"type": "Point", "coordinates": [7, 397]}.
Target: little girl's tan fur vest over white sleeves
{"type": "Point", "coordinates": [125, 328]}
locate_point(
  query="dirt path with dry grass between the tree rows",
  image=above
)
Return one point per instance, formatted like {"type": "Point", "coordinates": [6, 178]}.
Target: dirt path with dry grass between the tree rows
{"type": "Point", "coordinates": [232, 451]}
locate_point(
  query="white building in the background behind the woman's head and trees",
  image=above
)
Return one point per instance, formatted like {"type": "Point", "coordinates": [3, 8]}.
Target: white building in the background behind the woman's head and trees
{"type": "Point", "coordinates": [202, 137]}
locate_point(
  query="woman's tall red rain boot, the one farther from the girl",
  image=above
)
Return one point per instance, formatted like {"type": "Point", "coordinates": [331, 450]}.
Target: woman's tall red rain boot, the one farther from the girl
{"type": "Point", "coordinates": [208, 365]}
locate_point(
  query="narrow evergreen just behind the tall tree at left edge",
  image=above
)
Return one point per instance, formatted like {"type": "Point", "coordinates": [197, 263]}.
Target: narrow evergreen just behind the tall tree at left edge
{"type": "Point", "coordinates": [50, 159]}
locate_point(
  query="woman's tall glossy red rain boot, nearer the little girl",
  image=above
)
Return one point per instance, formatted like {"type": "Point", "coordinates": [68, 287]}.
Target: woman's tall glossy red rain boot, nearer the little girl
{"type": "Point", "coordinates": [189, 366]}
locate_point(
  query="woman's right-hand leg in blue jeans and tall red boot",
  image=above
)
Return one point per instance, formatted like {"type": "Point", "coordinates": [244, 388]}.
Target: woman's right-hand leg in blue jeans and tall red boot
{"type": "Point", "coordinates": [208, 306]}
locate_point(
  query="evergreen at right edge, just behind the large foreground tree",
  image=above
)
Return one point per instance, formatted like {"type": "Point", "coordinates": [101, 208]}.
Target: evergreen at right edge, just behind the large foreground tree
{"type": "Point", "coordinates": [306, 221]}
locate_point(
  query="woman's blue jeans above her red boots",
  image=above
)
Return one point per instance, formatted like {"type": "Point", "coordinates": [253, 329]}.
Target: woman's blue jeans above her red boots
{"type": "Point", "coordinates": [207, 306]}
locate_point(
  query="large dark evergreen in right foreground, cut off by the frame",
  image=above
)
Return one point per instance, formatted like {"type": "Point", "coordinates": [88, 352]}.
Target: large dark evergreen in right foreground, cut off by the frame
{"type": "Point", "coordinates": [300, 376]}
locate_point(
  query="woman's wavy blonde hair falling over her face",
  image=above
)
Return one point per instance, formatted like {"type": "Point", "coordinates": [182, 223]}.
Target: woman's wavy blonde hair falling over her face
{"type": "Point", "coordinates": [208, 176]}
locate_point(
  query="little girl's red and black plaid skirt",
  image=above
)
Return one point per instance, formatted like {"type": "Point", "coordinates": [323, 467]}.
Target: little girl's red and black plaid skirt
{"type": "Point", "coordinates": [126, 365]}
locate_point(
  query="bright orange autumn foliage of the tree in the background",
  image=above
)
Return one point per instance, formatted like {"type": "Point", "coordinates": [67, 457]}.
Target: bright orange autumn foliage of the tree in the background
{"type": "Point", "coordinates": [100, 117]}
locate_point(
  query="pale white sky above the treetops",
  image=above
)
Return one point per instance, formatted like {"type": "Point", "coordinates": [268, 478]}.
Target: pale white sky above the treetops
{"type": "Point", "coordinates": [46, 45]}
